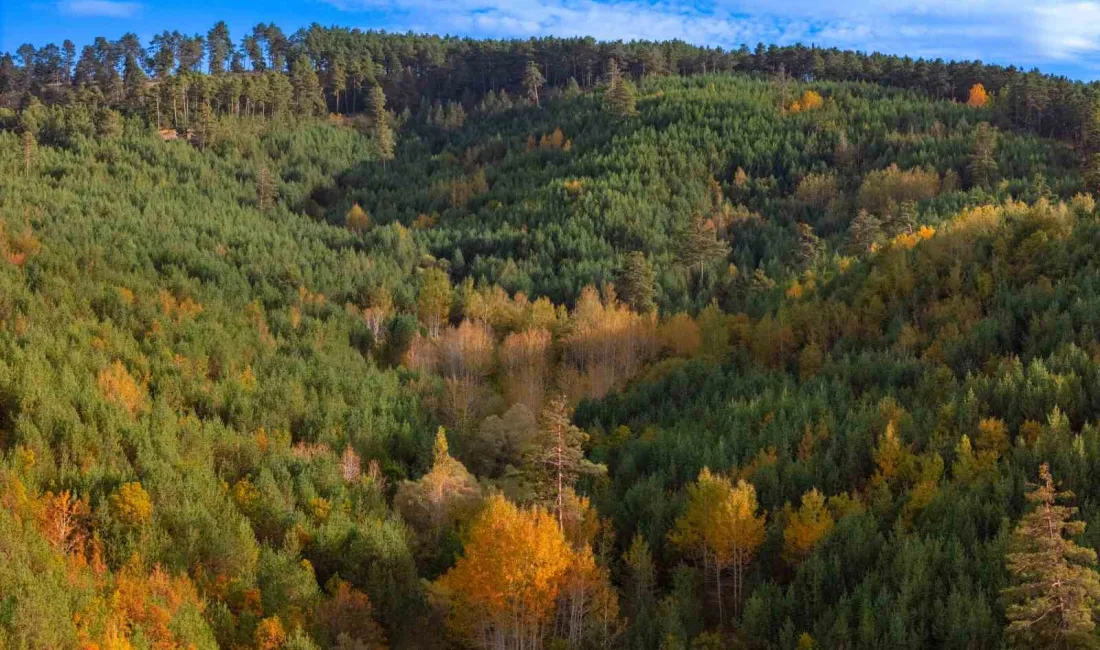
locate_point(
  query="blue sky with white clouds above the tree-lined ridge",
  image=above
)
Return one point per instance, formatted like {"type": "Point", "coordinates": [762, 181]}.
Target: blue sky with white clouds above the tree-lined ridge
{"type": "Point", "coordinates": [1059, 37]}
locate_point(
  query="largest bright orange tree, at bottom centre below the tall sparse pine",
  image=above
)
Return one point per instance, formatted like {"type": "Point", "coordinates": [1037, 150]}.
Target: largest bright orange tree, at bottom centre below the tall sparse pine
{"type": "Point", "coordinates": [503, 592]}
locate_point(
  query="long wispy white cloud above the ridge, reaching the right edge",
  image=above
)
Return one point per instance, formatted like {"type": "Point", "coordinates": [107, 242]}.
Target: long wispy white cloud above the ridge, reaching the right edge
{"type": "Point", "coordinates": [1027, 32]}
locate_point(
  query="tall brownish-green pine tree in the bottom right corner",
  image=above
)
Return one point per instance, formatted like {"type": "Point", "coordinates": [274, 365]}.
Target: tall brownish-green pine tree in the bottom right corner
{"type": "Point", "coordinates": [1055, 593]}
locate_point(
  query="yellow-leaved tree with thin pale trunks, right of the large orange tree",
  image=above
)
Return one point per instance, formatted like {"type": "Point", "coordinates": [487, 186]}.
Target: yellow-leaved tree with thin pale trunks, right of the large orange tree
{"type": "Point", "coordinates": [721, 528]}
